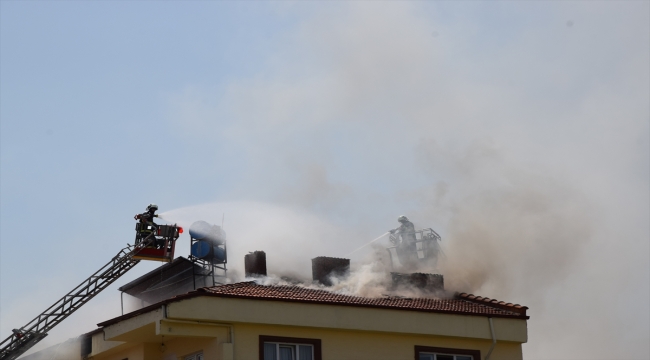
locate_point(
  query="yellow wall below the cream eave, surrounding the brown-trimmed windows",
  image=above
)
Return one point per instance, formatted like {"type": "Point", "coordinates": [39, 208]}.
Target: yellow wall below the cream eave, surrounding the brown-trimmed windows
{"type": "Point", "coordinates": [336, 345]}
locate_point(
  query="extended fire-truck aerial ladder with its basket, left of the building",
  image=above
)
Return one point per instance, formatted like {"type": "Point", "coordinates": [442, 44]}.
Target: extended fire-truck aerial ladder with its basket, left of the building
{"type": "Point", "coordinates": [158, 244]}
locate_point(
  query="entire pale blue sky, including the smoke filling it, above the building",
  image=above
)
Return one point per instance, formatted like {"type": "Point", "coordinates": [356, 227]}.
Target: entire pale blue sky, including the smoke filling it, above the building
{"type": "Point", "coordinates": [518, 130]}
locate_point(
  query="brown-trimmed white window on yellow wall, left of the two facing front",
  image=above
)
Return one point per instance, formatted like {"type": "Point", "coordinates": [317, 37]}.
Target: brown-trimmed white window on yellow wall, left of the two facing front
{"type": "Point", "coordinates": [284, 348]}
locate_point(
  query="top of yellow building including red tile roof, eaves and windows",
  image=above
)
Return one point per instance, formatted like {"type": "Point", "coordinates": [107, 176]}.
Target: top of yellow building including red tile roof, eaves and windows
{"type": "Point", "coordinates": [272, 322]}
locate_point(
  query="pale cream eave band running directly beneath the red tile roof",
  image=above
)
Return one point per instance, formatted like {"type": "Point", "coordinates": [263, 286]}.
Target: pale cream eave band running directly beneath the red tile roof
{"type": "Point", "coordinates": [345, 318]}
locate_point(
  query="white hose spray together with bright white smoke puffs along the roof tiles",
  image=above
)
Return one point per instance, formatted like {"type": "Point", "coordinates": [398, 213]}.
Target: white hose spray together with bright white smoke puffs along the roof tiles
{"type": "Point", "coordinates": [291, 239]}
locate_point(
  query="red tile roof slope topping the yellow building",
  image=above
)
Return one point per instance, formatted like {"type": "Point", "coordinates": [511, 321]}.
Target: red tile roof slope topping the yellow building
{"type": "Point", "coordinates": [466, 304]}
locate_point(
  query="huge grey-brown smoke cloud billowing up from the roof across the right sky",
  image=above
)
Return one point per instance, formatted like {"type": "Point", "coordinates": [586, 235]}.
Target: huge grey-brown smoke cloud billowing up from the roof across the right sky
{"type": "Point", "coordinates": [527, 150]}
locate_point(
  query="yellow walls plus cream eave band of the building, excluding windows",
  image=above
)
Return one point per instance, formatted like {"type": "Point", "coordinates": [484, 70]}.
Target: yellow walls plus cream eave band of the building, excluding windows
{"type": "Point", "coordinates": [346, 333]}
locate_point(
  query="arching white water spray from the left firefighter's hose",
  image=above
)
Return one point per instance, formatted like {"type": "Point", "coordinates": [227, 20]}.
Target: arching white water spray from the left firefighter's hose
{"type": "Point", "coordinates": [290, 238]}
